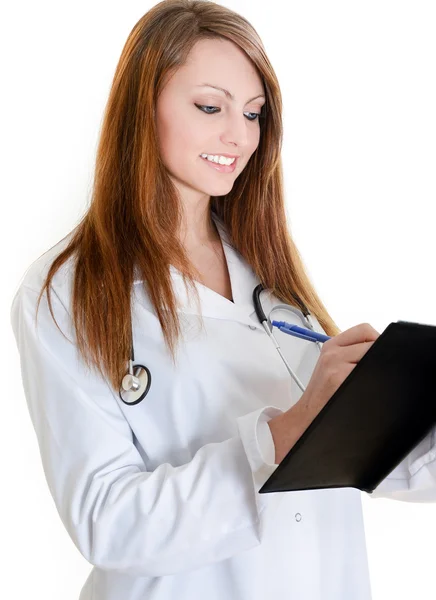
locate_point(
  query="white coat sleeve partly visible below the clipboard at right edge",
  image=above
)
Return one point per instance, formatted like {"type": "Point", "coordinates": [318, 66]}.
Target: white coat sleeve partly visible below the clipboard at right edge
{"type": "Point", "coordinates": [414, 479]}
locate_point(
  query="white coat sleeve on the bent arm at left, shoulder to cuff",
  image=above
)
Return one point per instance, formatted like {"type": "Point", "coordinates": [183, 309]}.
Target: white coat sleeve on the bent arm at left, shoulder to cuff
{"type": "Point", "coordinates": [120, 516]}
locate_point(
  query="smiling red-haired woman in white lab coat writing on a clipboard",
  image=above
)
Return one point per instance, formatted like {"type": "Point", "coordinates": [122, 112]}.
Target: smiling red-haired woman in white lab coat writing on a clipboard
{"type": "Point", "coordinates": [161, 496]}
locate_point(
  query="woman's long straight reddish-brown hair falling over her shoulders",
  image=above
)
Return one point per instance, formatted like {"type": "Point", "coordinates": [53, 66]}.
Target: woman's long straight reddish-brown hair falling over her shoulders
{"type": "Point", "coordinates": [128, 224]}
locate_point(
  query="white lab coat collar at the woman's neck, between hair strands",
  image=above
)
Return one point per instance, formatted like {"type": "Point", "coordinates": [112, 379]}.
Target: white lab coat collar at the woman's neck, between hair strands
{"type": "Point", "coordinates": [213, 305]}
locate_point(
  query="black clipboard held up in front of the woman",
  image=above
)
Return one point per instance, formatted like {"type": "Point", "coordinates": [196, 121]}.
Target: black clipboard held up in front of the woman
{"type": "Point", "coordinates": [379, 414]}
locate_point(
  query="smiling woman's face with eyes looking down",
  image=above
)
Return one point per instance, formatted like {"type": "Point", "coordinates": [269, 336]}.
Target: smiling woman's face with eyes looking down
{"type": "Point", "coordinates": [186, 130]}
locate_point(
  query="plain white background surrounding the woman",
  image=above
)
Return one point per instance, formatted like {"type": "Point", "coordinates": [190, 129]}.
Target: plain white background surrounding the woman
{"type": "Point", "coordinates": [358, 83]}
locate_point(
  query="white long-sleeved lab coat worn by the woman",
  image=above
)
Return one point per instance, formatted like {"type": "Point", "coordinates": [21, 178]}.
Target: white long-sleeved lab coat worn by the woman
{"type": "Point", "coordinates": [161, 497]}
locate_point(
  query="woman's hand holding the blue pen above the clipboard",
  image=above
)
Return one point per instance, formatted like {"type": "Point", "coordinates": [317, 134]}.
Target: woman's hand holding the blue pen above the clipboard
{"type": "Point", "coordinates": [339, 356]}
